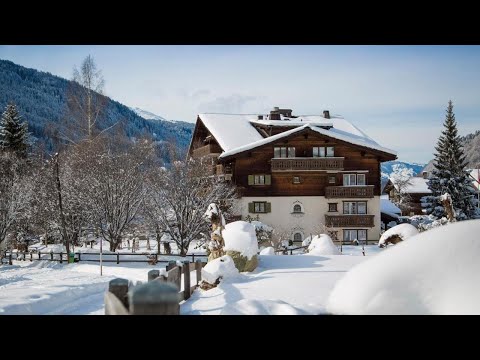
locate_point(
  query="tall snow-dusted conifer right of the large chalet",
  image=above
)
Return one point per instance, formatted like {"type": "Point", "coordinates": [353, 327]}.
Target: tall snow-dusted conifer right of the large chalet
{"type": "Point", "coordinates": [450, 175]}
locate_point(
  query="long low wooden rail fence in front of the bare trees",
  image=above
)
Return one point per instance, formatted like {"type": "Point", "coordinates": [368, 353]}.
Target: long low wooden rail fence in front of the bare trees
{"type": "Point", "coordinates": [118, 258]}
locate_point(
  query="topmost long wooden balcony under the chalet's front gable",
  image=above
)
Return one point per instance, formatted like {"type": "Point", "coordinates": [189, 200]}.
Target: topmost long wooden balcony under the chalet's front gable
{"type": "Point", "coordinates": [307, 164]}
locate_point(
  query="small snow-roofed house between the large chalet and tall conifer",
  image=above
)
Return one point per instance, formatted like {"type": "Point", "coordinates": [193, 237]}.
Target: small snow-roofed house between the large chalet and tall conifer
{"type": "Point", "coordinates": [415, 189]}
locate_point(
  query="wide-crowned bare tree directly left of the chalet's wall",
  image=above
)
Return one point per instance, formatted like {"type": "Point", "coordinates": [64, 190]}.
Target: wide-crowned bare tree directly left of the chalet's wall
{"type": "Point", "coordinates": [178, 198]}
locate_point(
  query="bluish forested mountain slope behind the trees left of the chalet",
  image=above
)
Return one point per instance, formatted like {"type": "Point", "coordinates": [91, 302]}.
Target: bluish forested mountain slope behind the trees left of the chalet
{"type": "Point", "coordinates": [41, 99]}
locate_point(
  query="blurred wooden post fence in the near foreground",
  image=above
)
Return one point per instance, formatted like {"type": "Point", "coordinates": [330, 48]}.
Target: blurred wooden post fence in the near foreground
{"type": "Point", "coordinates": [161, 295]}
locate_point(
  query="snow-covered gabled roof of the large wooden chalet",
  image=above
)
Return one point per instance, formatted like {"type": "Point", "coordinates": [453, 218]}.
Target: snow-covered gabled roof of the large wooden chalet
{"type": "Point", "coordinates": [235, 132]}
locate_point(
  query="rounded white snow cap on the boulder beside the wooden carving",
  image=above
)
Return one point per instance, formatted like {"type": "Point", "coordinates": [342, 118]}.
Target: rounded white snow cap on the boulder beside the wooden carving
{"type": "Point", "coordinates": [240, 236]}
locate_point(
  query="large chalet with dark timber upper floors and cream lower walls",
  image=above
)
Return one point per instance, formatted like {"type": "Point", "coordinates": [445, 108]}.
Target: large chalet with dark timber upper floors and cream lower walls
{"type": "Point", "coordinates": [297, 172]}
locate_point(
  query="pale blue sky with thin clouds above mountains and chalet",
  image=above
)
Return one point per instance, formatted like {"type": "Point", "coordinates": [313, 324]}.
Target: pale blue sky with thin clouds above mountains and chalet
{"type": "Point", "coordinates": [396, 94]}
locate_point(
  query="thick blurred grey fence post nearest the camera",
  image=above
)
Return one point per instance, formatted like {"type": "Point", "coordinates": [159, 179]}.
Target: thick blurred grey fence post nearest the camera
{"type": "Point", "coordinates": [154, 298]}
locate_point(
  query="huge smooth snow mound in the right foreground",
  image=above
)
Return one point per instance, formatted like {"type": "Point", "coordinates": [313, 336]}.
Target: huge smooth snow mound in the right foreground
{"type": "Point", "coordinates": [435, 274]}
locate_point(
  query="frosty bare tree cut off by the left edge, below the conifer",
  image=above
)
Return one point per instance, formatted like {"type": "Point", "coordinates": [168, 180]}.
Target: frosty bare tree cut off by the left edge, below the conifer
{"type": "Point", "coordinates": [15, 192]}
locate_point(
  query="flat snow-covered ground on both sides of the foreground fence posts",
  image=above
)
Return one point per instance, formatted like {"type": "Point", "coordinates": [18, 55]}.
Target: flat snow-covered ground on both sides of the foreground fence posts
{"type": "Point", "coordinates": [302, 282]}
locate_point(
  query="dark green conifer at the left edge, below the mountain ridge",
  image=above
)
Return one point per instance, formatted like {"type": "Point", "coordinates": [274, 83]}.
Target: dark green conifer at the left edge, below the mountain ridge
{"type": "Point", "coordinates": [13, 132]}
